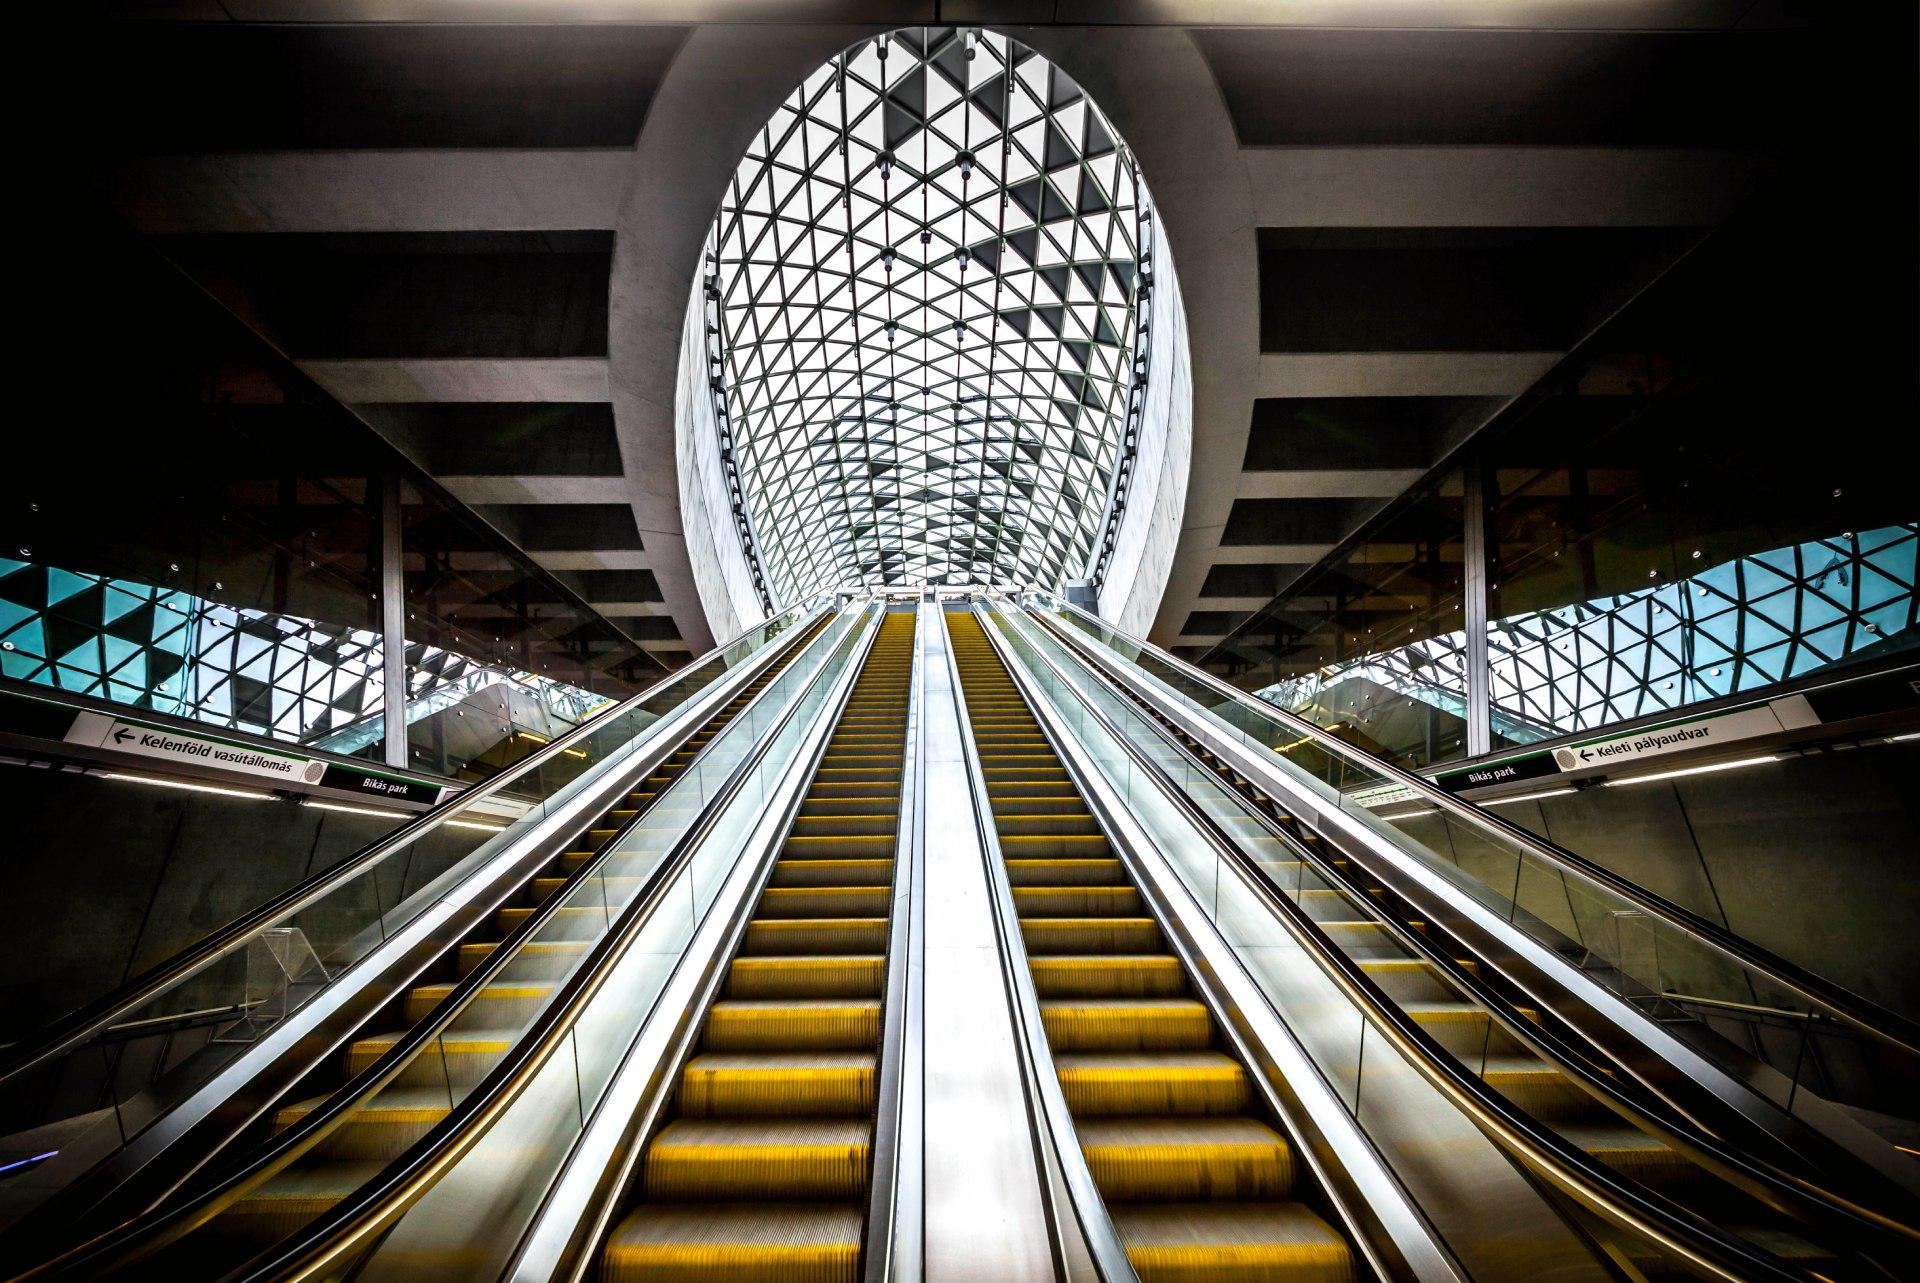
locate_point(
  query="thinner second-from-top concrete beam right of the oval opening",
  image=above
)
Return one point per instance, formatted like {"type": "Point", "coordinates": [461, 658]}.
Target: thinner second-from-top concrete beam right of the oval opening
{"type": "Point", "coordinates": [1403, 374]}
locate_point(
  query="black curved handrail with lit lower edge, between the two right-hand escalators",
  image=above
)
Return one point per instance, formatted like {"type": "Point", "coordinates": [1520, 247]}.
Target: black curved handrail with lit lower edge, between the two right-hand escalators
{"type": "Point", "coordinates": [1573, 1171]}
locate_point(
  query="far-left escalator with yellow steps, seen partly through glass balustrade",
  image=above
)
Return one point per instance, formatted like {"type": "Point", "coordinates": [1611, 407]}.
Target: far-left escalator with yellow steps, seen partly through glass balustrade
{"type": "Point", "coordinates": [433, 1082]}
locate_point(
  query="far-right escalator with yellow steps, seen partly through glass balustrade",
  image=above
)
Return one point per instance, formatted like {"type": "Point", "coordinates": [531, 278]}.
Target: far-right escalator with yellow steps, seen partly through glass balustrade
{"type": "Point", "coordinates": [1497, 1032]}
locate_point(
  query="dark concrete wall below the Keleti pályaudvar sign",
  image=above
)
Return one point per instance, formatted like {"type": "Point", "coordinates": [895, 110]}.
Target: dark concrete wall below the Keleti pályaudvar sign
{"type": "Point", "coordinates": [1810, 858]}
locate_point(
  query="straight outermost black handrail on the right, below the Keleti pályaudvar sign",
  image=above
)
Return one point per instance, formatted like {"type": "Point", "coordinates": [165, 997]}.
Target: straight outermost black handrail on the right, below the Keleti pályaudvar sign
{"type": "Point", "coordinates": [1850, 1007]}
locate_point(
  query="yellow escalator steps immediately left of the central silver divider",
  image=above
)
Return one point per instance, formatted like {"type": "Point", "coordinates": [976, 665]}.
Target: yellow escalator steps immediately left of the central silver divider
{"type": "Point", "coordinates": [763, 1165]}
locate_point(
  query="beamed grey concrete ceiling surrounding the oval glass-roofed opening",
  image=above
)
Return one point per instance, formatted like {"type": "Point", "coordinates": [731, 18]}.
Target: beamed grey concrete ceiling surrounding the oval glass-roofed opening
{"type": "Point", "coordinates": [1389, 222]}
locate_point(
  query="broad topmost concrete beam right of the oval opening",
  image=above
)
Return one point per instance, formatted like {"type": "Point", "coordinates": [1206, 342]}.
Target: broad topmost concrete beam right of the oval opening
{"type": "Point", "coordinates": [1499, 187]}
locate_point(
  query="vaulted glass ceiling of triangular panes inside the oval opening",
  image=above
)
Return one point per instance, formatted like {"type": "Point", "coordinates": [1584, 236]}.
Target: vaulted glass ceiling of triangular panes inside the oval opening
{"type": "Point", "coordinates": [921, 299]}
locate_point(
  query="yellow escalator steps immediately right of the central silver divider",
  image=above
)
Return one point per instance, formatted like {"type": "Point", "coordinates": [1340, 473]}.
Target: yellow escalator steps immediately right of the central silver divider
{"type": "Point", "coordinates": [1199, 1186]}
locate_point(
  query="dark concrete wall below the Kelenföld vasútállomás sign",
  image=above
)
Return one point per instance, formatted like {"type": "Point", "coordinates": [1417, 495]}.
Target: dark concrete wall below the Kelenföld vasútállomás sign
{"type": "Point", "coordinates": [107, 879]}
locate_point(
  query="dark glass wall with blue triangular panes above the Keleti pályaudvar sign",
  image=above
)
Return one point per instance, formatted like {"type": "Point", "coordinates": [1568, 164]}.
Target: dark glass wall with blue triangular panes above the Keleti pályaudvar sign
{"type": "Point", "coordinates": [1714, 496]}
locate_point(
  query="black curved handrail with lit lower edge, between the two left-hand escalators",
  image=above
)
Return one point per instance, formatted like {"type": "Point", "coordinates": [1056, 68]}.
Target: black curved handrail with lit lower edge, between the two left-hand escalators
{"type": "Point", "coordinates": [381, 1201]}
